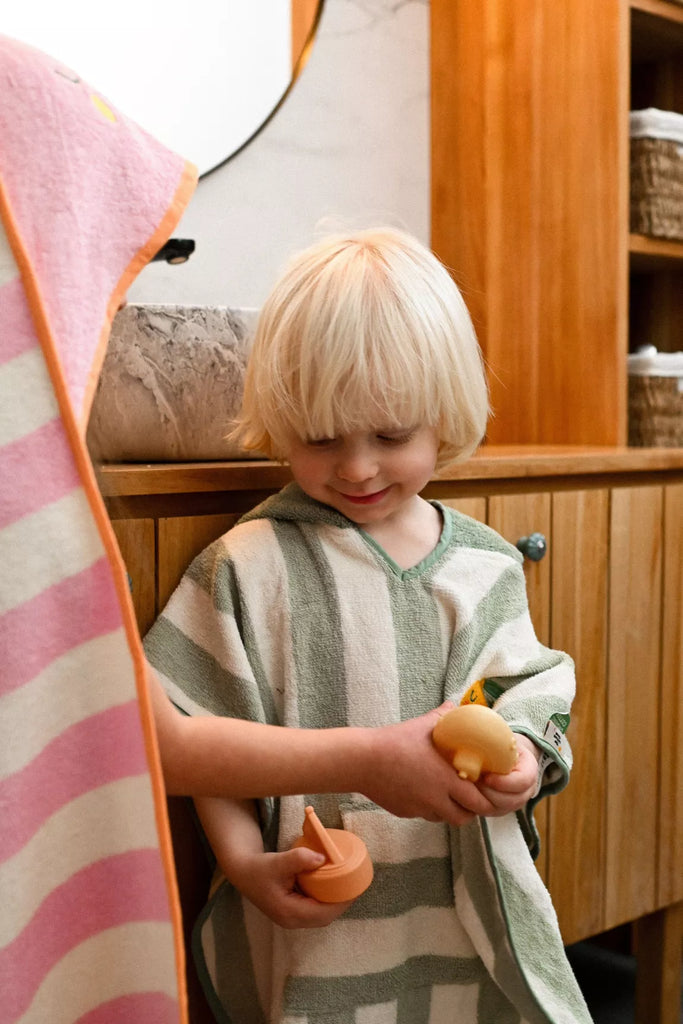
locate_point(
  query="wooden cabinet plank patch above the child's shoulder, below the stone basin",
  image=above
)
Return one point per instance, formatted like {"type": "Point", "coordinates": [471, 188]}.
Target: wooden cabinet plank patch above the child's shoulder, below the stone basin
{"type": "Point", "coordinates": [181, 539]}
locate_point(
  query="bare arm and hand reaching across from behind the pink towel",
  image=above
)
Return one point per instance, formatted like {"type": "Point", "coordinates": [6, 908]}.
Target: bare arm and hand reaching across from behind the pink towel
{"type": "Point", "coordinates": [397, 766]}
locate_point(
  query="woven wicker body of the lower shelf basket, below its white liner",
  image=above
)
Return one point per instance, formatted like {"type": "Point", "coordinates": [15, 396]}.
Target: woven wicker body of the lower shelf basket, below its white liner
{"type": "Point", "coordinates": [656, 412]}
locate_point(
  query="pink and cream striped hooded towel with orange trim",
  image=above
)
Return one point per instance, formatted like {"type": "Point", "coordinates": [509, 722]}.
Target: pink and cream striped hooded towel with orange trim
{"type": "Point", "coordinates": [91, 922]}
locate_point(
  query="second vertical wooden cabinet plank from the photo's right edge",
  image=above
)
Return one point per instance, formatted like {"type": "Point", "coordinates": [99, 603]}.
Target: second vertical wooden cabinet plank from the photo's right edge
{"type": "Point", "coordinates": [634, 674]}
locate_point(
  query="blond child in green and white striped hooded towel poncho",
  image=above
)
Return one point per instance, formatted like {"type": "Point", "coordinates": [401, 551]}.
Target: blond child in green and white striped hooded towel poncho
{"type": "Point", "coordinates": [349, 600]}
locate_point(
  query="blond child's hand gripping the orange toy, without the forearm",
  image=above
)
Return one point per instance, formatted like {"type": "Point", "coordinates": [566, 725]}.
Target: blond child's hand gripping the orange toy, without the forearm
{"type": "Point", "coordinates": [269, 881]}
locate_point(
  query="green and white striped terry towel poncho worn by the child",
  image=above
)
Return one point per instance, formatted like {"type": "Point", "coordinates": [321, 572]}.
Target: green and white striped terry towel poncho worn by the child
{"type": "Point", "coordinates": [296, 617]}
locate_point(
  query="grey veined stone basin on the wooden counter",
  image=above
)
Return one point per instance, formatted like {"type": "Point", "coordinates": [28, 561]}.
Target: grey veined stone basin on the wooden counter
{"type": "Point", "coordinates": [172, 385]}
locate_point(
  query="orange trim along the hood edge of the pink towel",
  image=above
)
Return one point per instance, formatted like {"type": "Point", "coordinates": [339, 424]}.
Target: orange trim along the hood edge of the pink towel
{"type": "Point", "coordinates": [176, 210]}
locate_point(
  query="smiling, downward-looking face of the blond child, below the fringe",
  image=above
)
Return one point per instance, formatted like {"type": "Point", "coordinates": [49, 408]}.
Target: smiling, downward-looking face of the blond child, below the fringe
{"type": "Point", "coordinates": [369, 477]}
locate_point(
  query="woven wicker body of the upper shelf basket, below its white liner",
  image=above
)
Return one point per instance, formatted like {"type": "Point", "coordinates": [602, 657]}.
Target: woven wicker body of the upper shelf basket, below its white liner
{"type": "Point", "coordinates": [657, 188]}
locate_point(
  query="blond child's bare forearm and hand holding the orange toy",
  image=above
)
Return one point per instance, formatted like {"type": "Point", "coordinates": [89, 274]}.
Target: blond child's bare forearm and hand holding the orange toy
{"type": "Point", "coordinates": [268, 880]}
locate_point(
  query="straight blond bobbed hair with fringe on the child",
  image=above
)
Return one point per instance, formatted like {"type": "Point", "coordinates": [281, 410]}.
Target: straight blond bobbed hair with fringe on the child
{"type": "Point", "coordinates": [364, 331]}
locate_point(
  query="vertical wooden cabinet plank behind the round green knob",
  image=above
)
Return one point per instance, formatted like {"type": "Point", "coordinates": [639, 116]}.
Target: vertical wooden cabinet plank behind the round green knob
{"type": "Point", "coordinates": [516, 517]}
